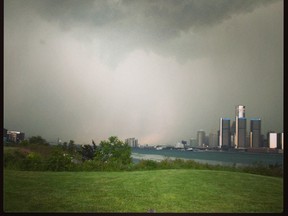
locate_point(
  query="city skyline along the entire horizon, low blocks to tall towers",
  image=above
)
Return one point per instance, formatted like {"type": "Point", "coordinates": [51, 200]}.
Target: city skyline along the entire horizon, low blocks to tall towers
{"type": "Point", "coordinates": [227, 134]}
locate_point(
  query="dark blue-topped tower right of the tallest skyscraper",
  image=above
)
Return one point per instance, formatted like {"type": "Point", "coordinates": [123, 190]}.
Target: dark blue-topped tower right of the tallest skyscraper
{"type": "Point", "coordinates": [255, 133]}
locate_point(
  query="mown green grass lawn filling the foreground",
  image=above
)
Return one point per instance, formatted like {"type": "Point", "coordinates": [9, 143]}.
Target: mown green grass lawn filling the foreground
{"type": "Point", "coordinates": [139, 191]}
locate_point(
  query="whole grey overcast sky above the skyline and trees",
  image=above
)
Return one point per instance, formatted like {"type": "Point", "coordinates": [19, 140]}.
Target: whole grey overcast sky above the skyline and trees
{"type": "Point", "coordinates": [156, 70]}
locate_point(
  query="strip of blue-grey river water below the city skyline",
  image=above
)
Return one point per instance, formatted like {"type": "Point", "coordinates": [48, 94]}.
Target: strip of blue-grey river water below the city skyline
{"type": "Point", "coordinates": [210, 157]}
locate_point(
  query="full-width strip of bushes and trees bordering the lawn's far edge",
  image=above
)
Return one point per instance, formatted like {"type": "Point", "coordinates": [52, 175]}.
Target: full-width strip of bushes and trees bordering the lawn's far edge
{"type": "Point", "coordinates": [36, 154]}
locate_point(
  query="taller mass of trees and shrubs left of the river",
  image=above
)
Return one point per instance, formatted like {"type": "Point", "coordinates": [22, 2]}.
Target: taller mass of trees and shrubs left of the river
{"type": "Point", "coordinates": [37, 154]}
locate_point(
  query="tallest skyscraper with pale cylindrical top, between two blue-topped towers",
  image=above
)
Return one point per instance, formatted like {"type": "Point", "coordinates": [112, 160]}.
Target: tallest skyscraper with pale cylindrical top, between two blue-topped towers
{"type": "Point", "coordinates": [240, 130]}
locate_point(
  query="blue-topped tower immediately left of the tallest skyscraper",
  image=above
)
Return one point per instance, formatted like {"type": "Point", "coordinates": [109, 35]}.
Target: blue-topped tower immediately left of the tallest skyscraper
{"type": "Point", "coordinates": [224, 134]}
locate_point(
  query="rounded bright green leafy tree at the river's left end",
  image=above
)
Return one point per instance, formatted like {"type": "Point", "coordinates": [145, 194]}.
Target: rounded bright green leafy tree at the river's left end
{"type": "Point", "coordinates": [113, 150]}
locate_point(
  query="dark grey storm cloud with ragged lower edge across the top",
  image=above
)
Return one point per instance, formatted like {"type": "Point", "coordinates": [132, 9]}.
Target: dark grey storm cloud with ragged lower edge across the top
{"type": "Point", "coordinates": [126, 25]}
